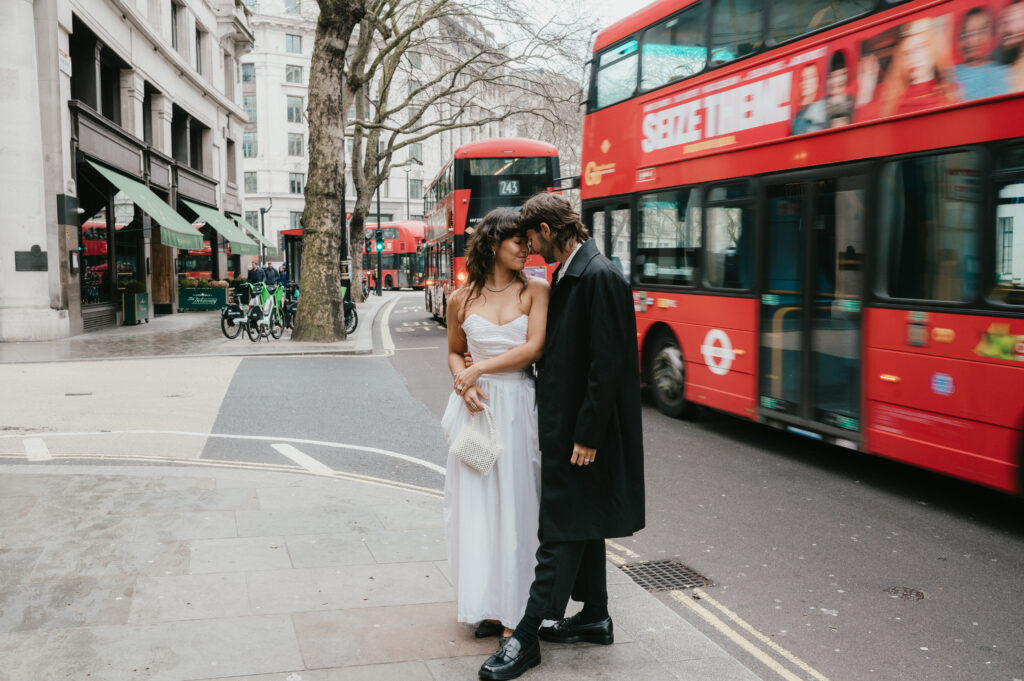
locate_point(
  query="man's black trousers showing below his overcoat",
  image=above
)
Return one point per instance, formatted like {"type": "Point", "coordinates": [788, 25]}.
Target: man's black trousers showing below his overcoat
{"type": "Point", "coordinates": [568, 569]}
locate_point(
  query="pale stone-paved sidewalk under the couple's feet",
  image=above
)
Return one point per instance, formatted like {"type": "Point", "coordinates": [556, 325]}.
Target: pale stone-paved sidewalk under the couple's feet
{"type": "Point", "coordinates": [197, 574]}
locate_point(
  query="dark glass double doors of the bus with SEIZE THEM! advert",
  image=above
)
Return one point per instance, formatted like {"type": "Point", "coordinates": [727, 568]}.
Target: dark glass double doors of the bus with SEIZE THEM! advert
{"type": "Point", "coordinates": [810, 355]}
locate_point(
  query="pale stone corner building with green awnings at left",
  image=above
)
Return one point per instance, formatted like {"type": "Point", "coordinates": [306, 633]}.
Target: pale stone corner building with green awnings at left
{"type": "Point", "coordinates": [102, 96]}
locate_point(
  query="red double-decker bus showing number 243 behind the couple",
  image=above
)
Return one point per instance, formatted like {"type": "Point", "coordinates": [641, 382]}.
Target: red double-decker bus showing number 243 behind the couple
{"type": "Point", "coordinates": [480, 178]}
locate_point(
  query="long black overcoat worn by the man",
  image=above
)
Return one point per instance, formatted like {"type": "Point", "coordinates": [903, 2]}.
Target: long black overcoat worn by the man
{"type": "Point", "coordinates": [588, 392]}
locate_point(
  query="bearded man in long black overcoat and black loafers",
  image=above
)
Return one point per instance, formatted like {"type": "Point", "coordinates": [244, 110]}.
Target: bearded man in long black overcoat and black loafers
{"type": "Point", "coordinates": [588, 397]}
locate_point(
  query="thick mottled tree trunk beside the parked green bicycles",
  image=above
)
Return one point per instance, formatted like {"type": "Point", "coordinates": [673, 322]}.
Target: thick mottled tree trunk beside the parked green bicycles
{"type": "Point", "coordinates": [321, 316]}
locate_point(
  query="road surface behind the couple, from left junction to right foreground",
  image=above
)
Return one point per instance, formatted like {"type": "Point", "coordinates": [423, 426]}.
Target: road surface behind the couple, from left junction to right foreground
{"type": "Point", "coordinates": [826, 565]}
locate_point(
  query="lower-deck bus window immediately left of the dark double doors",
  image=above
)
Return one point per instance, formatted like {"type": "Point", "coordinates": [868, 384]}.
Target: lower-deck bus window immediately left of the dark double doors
{"type": "Point", "coordinates": [730, 244]}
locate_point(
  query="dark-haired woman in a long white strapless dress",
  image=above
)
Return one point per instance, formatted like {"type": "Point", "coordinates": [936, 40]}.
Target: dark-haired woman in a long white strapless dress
{"type": "Point", "coordinates": [492, 521]}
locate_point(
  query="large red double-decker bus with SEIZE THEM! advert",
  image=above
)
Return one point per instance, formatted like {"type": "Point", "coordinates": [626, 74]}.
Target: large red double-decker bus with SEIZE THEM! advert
{"type": "Point", "coordinates": [821, 209]}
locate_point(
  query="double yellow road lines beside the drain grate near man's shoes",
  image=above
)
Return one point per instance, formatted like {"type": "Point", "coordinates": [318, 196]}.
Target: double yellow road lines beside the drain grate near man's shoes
{"type": "Point", "coordinates": [762, 655]}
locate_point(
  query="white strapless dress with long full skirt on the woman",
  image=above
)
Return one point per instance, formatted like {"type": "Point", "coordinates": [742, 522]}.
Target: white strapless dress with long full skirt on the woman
{"type": "Point", "coordinates": [491, 522]}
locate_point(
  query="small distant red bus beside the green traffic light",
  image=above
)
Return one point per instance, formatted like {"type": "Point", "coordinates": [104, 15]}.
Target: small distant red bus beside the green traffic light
{"type": "Point", "coordinates": [402, 260]}
